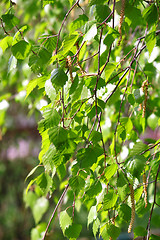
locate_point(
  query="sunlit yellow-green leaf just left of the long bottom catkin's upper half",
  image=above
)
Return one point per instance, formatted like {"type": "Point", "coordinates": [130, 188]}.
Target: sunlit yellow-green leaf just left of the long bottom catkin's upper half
{"type": "Point", "coordinates": [110, 200]}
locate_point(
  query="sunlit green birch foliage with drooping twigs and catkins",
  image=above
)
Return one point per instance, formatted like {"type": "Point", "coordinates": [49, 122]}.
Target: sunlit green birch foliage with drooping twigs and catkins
{"type": "Point", "coordinates": [95, 84]}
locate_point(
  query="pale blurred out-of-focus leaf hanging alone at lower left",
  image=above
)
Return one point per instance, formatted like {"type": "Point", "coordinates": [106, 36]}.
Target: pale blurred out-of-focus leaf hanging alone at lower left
{"type": "Point", "coordinates": [40, 208]}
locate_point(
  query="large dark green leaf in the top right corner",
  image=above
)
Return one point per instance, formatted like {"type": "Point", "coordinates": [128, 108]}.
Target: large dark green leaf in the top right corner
{"type": "Point", "coordinates": [150, 14]}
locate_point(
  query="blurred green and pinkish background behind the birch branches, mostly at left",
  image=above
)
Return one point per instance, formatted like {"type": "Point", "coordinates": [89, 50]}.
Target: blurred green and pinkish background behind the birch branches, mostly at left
{"type": "Point", "coordinates": [20, 142]}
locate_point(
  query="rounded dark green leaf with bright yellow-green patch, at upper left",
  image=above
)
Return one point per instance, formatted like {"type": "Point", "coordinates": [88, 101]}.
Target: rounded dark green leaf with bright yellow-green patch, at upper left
{"type": "Point", "coordinates": [21, 49]}
